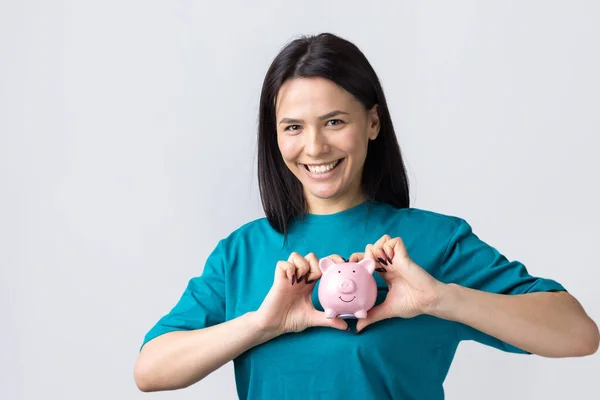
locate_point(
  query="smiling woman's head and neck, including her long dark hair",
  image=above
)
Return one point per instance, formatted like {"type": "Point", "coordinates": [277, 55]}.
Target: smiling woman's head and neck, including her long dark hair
{"type": "Point", "coordinates": [323, 103]}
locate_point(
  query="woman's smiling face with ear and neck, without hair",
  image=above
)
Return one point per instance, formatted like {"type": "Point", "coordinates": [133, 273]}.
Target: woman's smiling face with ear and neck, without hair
{"type": "Point", "coordinates": [323, 134]}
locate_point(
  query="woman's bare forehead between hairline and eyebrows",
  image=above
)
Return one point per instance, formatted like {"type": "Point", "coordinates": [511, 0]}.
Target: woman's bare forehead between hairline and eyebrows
{"type": "Point", "coordinates": [312, 96]}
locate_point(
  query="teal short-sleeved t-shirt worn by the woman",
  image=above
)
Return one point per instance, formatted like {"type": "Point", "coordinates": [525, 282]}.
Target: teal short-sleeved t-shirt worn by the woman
{"type": "Point", "coordinates": [392, 359]}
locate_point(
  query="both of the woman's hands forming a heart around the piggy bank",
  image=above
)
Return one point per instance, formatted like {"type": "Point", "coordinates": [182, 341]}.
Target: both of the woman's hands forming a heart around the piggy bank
{"type": "Point", "coordinates": [288, 306]}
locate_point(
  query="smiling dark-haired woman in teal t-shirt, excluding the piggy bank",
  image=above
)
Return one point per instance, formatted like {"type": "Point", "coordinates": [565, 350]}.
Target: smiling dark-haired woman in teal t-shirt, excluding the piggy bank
{"type": "Point", "coordinates": [333, 184]}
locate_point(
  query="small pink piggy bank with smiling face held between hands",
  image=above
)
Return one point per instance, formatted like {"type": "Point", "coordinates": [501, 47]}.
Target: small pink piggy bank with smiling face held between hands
{"type": "Point", "coordinates": [347, 289]}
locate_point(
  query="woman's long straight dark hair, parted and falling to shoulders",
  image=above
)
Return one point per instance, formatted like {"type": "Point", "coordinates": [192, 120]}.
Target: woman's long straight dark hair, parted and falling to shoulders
{"type": "Point", "coordinates": [340, 61]}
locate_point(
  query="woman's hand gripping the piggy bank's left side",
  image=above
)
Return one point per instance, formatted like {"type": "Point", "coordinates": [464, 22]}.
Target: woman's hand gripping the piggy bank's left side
{"type": "Point", "coordinates": [288, 306]}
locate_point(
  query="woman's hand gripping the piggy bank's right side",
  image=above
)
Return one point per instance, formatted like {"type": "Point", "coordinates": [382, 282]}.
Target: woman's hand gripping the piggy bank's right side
{"type": "Point", "coordinates": [412, 290]}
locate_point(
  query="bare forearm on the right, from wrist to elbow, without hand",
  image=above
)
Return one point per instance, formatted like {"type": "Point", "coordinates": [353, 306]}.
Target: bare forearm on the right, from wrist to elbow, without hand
{"type": "Point", "coordinates": [550, 324]}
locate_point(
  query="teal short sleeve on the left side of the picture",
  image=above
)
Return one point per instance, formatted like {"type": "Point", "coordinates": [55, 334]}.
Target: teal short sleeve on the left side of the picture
{"type": "Point", "coordinates": [201, 305]}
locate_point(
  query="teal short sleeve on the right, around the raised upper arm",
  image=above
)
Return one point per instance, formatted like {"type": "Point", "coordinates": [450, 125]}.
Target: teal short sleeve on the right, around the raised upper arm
{"type": "Point", "coordinates": [470, 262]}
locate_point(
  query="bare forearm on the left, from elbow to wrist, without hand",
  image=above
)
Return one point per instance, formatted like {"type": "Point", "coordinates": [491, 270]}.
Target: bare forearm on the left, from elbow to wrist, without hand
{"type": "Point", "coordinates": [179, 359]}
